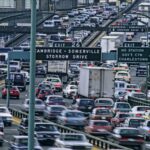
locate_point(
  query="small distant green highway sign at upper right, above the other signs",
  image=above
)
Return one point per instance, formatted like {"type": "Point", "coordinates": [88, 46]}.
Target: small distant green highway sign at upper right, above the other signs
{"type": "Point", "coordinates": [127, 28]}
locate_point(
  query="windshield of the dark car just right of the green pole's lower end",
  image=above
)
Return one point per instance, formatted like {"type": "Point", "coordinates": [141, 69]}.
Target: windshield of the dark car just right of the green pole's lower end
{"type": "Point", "coordinates": [45, 127]}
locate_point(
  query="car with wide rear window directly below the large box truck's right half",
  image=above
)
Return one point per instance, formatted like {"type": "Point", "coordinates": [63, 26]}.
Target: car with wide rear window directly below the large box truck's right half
{"type": "Point", "coordinates": [104, 102]}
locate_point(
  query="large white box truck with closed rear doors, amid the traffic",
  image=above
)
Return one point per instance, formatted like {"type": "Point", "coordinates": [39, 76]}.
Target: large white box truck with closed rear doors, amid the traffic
{"type": "Point", "coordinates": [95, 82]}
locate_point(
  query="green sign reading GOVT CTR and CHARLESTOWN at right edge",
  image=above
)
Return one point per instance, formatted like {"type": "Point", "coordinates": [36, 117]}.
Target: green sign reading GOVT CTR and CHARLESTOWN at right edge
{"type": "Point", "coordinates": [134, 54]}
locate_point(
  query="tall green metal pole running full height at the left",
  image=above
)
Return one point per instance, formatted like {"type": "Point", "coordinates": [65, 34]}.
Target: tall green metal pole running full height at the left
{"type": "Point", "coordinates": [32, 77]}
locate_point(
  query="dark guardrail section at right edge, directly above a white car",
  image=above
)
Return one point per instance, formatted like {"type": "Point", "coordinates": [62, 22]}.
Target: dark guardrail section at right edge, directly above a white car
{"type": "Point", "coordinates": [138, 101]}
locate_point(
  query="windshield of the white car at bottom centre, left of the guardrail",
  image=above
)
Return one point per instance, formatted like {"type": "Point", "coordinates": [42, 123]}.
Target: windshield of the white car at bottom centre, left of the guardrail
{"type": "Point", "coordinates": [72, 138]}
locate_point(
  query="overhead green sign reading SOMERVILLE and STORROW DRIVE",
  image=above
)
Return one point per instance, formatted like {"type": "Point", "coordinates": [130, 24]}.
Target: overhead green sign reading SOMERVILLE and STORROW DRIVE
{"type": "Point", "coordinates": [68, 53]}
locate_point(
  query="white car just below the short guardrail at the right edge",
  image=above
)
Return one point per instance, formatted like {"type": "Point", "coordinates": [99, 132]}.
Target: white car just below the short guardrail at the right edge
{"type": "Point", "coordinates": [139, 111]}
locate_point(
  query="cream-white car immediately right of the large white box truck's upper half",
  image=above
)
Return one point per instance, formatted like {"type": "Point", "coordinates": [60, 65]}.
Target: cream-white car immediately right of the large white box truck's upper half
{"type": "Point", "coordinates": [123, 76]}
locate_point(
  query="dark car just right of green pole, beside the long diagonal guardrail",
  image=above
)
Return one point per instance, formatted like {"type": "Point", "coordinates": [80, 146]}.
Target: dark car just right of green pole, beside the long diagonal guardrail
{"type": "Point", "coordinates": [46, 132]}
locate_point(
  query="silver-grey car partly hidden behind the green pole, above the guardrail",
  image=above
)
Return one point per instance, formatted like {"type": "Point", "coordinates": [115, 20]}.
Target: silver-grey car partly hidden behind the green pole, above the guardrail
{"type": "Point", "coordinates": [39, 106]}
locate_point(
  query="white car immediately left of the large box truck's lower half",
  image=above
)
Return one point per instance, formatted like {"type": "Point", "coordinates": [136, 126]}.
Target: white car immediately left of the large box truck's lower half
{"type": "Point", "coordinates": [70, 91]}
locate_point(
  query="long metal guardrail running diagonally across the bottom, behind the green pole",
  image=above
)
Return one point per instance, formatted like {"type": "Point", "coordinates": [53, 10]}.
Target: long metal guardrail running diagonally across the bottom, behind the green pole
{"type": "Point", "coordinates": [98, 142]}
